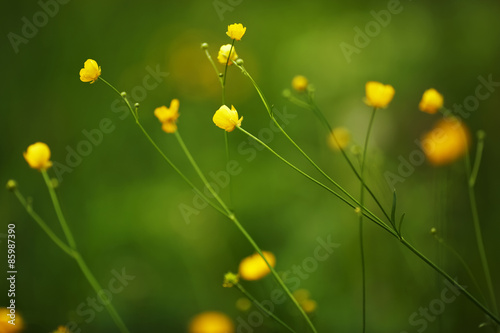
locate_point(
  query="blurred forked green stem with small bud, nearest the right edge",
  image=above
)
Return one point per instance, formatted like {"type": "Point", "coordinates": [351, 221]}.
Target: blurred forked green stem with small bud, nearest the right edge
{"type": "Point", "coordinates": [471, 177]}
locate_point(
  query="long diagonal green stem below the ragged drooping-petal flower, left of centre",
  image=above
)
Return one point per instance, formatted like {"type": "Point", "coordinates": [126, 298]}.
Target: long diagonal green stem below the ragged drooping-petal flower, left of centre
{"type": "Point", "coordinates": [233, 218]}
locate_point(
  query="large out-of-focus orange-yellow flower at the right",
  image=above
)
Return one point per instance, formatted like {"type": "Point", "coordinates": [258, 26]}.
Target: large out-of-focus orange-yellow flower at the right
{"type": "Point", "coordinates": [446, 142]}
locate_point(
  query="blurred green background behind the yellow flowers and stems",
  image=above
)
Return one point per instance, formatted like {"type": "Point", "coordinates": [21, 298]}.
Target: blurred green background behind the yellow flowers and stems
{"type": "Point", "coordinates": [122, 201]}
